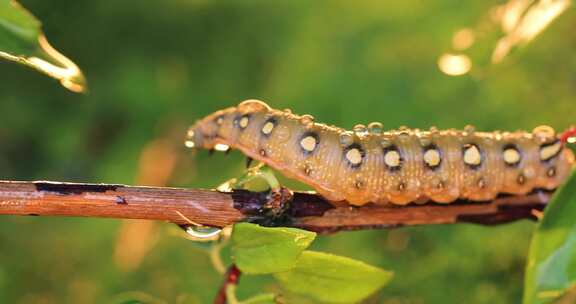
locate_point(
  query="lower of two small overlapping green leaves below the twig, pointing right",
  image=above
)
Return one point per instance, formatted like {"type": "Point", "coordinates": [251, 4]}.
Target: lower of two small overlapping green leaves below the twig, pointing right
{"type": "Point", "coordinates": [332, 278]}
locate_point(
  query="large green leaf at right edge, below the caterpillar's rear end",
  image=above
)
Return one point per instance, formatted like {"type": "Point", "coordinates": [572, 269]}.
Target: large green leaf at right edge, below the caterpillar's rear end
{"type": "Point", "coordinates": [551, 267]}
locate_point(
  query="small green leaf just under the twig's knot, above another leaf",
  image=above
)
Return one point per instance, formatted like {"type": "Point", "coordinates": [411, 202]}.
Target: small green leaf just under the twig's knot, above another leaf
{"type": "Point", "coordinates": [262, 250]}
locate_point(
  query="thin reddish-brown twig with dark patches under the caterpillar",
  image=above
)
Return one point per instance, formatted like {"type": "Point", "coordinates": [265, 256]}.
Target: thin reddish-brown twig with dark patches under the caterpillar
{"type": "Point", "coordinates": [212, 208]}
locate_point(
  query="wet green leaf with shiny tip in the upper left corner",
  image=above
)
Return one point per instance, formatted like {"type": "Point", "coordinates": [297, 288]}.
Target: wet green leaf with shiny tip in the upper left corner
{"type": "Point", "coordinates": [22, 41]}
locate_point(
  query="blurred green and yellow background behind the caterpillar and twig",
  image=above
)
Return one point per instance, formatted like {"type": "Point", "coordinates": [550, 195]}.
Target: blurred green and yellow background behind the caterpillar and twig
{"type": "Point", "coordinates": [155, 67]}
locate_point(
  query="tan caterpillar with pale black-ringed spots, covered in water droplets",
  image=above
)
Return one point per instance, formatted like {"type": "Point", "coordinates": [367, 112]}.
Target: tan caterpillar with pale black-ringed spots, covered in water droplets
{"type": "Point", "coordinates": [398, 166]}
